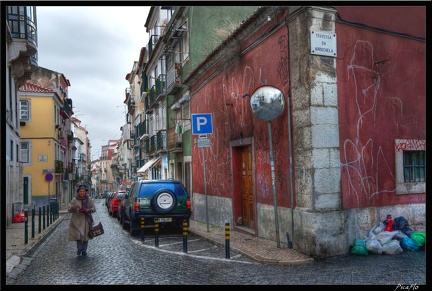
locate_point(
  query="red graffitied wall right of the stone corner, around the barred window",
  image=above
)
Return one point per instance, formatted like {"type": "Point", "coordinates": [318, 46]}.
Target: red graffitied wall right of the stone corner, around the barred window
{"type": "Point", "coordinates": [382, 97]}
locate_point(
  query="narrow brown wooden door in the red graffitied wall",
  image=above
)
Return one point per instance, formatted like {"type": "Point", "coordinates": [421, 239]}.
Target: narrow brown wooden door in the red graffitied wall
{"type": "Point", "coordinates": [248, 214]}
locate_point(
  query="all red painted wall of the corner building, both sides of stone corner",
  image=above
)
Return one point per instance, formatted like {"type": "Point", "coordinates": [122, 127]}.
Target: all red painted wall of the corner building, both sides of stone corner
{"type": "Point", "coordinates": [381, 93]}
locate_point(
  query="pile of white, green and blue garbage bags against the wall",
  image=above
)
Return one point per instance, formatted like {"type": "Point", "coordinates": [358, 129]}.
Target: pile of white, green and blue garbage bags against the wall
{"type": "Point", "coordinates": [391, 237]}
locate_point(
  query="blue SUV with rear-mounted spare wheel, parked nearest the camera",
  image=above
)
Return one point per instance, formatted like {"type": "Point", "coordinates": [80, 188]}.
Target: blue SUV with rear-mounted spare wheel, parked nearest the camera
{"type": "Point", "coordinates": [166, 200]}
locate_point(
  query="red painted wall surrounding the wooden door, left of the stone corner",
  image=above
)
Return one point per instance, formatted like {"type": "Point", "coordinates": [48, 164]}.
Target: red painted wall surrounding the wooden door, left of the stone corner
{"type": "Point", "coordinates": [232, 116]}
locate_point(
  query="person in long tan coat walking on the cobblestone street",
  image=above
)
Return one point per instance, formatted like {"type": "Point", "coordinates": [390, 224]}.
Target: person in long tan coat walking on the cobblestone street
{"type": "Point", "coordinates": [81, 206]}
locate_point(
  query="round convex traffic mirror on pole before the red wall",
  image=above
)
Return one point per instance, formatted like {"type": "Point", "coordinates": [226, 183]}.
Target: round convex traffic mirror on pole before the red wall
{"type": "Point", "coordinates": [267, 102]}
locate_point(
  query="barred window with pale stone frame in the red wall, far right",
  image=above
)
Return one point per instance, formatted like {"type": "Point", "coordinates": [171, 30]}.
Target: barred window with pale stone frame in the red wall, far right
{"type": "Point", "coordinates": [410, 161]}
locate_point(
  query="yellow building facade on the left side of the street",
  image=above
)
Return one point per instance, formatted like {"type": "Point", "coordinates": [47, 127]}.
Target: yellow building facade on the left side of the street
{"type": "Point", "coordinates": [41, 154]}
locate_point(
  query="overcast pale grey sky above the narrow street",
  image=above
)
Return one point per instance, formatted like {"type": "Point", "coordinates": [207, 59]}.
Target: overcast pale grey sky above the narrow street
{"type": "Point", "coordinates": [94, 48]}
